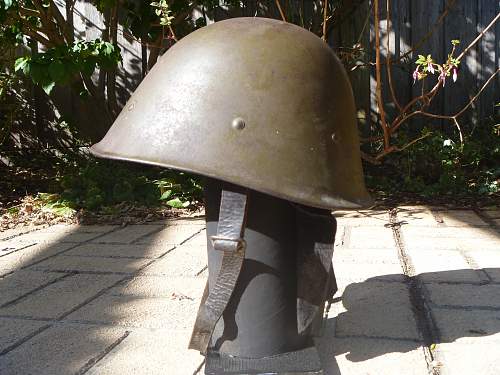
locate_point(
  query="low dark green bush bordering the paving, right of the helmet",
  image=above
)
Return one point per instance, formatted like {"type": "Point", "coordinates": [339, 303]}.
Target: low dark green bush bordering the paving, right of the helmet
{"type": "Point", "coordinates": [440, 165]}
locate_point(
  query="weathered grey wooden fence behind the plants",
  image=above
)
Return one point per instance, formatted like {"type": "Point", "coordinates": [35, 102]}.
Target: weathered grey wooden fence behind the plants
{"type": "Point", "coordinates": [414, 23]}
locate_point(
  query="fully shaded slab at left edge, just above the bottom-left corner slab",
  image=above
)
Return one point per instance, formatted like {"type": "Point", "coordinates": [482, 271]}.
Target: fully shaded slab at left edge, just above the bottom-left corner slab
{"type": "Point", "coordinates": [61, 297]}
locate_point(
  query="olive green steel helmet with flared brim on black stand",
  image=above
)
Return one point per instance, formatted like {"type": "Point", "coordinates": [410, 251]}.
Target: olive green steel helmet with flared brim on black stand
{"type": "Point", "coordinates": [253, 101]}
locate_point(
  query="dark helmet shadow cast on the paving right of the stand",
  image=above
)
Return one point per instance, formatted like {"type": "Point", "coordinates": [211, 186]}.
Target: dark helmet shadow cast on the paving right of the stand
{"type": "Point", "coordinates": [376, 317]}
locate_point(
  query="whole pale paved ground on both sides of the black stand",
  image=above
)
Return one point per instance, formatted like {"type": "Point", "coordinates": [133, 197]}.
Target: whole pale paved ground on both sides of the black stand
{"type": "Point", "coordinates": [419, 293]}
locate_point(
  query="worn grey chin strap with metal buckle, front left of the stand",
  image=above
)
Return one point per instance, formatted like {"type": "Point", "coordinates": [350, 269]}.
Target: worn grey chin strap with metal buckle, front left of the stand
{"type": "Point", "coordinates": [229, 240]}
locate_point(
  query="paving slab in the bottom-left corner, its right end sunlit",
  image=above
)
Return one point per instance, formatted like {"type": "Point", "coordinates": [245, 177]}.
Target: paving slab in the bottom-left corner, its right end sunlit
{"type": "Point", "coordinates": [60, 349]}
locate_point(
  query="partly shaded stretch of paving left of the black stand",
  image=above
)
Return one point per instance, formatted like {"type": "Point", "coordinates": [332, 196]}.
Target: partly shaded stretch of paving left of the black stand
{"type": "Point", "coordinates": [69, 295]}
